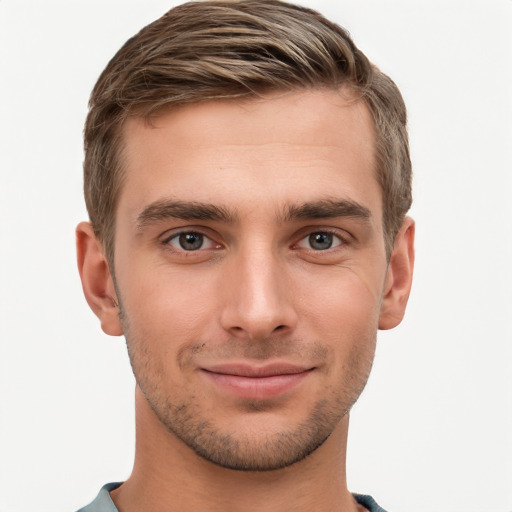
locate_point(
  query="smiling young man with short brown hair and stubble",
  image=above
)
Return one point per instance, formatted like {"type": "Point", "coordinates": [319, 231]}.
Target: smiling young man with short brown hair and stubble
{"type": "Point", "coordinates": [247, 177]}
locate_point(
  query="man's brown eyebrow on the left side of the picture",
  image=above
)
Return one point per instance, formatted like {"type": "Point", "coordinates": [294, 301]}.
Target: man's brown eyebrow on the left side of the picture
{"type": "Point", "coordinates": [185, 210]}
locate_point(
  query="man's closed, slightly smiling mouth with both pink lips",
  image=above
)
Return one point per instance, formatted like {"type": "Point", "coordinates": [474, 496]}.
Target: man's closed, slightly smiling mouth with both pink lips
{"type": "Point", "coordinates": [257, 382]}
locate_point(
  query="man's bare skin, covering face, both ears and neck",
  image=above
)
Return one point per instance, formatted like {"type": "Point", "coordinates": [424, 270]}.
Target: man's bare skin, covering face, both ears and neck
{"type": "Point", "coordinates": [279, 201]}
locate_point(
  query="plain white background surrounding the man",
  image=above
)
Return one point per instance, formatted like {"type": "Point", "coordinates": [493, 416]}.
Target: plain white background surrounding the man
{"type": "Point", "coordinates": [433, 430]}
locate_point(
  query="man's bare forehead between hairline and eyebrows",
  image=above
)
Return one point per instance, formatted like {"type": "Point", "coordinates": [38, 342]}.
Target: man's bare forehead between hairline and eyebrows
{"type": "Point", "coordinates": [282, 148]}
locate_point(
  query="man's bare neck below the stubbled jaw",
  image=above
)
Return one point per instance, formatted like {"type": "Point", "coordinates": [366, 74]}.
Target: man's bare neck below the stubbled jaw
{"type": "Point", "coordinates": [168, 475]}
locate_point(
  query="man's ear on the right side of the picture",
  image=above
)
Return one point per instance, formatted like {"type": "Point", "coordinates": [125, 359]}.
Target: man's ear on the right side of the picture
{"type": "Point", "coordinates": [398, 278]}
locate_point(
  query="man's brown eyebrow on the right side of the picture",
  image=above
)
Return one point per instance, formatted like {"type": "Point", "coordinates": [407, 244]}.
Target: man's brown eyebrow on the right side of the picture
{"type": "Point", "coordinates": [327, 208]}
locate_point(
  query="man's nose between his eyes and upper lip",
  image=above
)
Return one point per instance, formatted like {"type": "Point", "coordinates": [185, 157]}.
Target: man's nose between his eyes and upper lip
{"type": "Point", "coordinates": [258, 297]}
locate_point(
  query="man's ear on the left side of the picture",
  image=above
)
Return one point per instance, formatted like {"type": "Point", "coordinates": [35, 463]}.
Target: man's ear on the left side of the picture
{"type": "Point", "coordinates": [97, 281]}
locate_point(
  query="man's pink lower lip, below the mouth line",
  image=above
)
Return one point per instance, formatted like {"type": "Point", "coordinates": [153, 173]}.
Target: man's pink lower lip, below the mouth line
{"type": "Point", "coordinates": [258, 388]}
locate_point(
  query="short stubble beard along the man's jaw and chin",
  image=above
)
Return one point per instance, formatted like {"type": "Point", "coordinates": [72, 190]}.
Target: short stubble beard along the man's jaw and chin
{"type": "Point", "coordinates": [246, 451]}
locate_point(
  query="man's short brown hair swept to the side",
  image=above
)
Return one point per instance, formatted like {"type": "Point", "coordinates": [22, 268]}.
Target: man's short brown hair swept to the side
{"type": "Point", "coordinates": [221, 49]}
